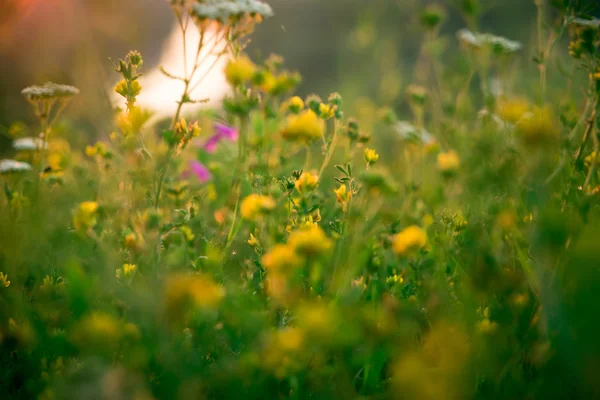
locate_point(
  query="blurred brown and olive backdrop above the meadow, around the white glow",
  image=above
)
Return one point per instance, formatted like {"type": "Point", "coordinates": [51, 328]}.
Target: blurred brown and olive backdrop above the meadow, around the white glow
{"type": "Point", "coordinates": [361, 48]}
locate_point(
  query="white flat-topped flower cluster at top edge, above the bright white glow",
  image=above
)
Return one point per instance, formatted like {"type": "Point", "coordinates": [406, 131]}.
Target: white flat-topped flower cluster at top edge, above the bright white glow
{"type": "Point", "coordinates": [221, 10]}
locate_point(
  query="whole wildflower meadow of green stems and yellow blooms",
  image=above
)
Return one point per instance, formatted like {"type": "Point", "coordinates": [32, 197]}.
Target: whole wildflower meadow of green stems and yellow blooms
{"type": "Point", "coordinates": [276, 248]}
